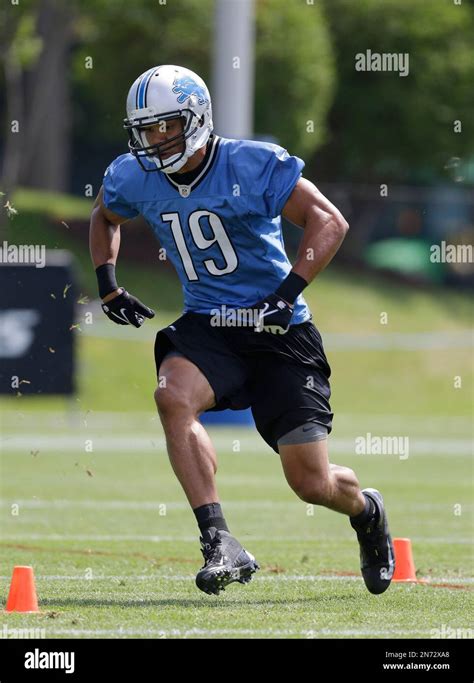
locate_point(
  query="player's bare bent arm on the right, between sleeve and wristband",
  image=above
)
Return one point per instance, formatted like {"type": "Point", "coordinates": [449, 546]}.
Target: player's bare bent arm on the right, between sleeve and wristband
{"type": "Point", "coordinates": [324, 228]}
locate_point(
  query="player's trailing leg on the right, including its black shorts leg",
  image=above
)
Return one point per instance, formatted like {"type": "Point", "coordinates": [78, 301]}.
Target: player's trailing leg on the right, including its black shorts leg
{"type": "Point", "coordinates": [292, 413]}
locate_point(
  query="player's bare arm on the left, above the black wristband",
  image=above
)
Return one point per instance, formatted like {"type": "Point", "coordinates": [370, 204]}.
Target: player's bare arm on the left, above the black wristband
{"type": "Point", "coordinates": [104, 236]}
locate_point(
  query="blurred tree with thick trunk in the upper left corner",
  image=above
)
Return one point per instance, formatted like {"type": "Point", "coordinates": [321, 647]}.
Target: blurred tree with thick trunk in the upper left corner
{"type": "Point", "coordinates": [36, 39]}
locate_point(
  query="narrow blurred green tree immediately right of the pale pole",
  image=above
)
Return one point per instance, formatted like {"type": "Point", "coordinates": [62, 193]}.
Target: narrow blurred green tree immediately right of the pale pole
{"type": "Point", "coordinates": [294, 74]}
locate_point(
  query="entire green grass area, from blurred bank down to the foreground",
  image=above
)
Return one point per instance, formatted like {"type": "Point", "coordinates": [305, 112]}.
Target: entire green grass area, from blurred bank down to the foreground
{"type": "Point", "coordinates": [114, 545]}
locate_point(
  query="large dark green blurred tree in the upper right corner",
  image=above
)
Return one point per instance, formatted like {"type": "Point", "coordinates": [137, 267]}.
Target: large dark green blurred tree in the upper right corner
{"type": "Point", "coordinates": [388, 126]}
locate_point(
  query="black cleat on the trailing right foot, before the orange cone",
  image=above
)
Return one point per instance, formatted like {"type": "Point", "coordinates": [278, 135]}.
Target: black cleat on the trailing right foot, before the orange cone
{"type": "Point", "coordinates": [377, 558]}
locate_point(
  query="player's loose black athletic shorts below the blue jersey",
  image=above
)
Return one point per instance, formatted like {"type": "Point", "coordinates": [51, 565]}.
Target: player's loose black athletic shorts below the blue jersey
{"type": "Point", "coordinates": [283, 378]}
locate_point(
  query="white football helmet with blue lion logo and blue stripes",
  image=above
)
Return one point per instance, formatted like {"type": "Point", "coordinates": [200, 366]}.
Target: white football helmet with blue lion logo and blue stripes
{"type": "Point", "coordinates": [160, 94]}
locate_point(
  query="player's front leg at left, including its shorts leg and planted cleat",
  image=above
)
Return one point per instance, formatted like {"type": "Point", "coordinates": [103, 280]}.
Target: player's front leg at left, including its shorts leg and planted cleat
{"type": "Point", "coordinates": [197, 370]}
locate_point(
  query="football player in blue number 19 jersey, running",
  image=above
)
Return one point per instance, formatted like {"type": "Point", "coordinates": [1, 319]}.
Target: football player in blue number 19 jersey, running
{"type": "Point", "coordinates": [245, 337]}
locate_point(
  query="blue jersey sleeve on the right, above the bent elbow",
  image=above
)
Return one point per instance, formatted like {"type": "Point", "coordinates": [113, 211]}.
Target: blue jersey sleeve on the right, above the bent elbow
{"type": "Point", "coordinates": [276, 176]}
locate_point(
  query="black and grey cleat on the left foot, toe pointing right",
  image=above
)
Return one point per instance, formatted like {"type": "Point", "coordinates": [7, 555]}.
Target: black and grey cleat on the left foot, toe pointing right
{"type": "Point", "coordinates": [225, 561]}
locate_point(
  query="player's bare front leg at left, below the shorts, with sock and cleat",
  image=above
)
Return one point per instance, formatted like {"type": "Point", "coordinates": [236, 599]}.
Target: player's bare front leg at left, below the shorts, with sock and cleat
{"type": "Point", "coordinates": [183, 393]}
